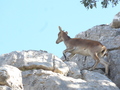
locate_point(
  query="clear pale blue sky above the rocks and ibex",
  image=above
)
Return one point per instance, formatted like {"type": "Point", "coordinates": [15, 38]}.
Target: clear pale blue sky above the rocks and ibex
{"type": "Point", "coordinates": [33, 24]}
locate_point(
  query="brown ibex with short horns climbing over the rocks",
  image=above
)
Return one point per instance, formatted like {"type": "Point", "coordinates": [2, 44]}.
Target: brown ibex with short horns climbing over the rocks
{"type": "Point", "coordinates": [84, 47]}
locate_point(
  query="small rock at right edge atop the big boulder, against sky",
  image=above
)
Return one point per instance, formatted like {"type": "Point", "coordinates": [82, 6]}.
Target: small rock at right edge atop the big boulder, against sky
{"type": "Point", "coordinates": [116, 21]}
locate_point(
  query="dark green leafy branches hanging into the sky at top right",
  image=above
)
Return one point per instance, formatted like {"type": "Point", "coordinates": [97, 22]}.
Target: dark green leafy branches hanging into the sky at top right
{"type": "Point", "coordinates": [92, 3]}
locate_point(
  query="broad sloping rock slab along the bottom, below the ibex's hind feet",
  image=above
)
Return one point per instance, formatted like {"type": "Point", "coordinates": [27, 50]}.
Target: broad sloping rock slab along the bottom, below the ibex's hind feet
{"type": "Point", "coordinates": [47, 80]}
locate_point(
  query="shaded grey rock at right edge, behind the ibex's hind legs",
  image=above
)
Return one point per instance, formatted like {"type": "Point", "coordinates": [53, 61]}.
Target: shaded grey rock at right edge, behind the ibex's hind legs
{"type": "Point", "coordinates": [115, 66]}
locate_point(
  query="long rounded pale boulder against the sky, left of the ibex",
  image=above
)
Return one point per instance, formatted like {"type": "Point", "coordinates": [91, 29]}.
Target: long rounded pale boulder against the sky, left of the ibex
{"type": "Point", "coordinates": [31, 59]}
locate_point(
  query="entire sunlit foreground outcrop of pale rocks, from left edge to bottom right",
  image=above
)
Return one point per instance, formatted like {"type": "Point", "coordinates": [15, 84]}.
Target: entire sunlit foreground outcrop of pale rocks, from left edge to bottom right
{"type": "Point", "coordinates": [45, 71]}
